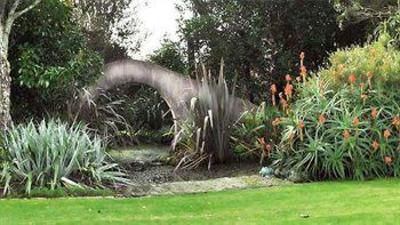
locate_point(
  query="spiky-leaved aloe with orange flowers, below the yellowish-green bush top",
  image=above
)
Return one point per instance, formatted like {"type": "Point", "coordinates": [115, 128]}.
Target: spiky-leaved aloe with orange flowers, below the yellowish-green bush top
{"type": "Point", "coordinates": [347, 132]}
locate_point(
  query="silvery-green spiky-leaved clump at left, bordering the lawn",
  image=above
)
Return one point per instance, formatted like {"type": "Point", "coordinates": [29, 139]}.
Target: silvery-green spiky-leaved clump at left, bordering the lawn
{"type": "Point", "coordinates": [53, 154]}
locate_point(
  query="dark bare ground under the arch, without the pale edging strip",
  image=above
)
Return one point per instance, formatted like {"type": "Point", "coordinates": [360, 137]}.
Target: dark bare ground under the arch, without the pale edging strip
{"type": "Point", "coordinates": [149, 165]}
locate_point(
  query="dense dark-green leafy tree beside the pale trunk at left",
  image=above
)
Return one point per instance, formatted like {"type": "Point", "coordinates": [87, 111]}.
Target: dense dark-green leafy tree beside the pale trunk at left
{"type": "Point", "coordinates": [50, 61]}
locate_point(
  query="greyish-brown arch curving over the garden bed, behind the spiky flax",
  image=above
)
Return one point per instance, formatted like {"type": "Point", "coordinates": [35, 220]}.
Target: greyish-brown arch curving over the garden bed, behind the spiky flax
{"type": "Point", "coordinates": [176, 89]}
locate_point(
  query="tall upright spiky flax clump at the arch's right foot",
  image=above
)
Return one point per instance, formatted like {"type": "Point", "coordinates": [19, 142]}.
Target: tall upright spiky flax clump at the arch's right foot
{"type": "Point", "coordinates": [206, 136]}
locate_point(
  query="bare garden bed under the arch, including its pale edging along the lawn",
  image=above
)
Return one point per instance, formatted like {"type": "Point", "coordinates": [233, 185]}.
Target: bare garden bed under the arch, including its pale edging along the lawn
{"type": "Point", "coordinates": [151, 174]}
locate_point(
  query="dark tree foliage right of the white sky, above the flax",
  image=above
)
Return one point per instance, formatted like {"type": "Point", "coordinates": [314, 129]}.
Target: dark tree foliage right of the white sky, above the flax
{"type": "Point", "coordinates": [260, 41]}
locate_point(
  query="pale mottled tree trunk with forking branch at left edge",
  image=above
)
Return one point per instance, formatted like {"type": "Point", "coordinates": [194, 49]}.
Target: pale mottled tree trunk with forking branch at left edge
{"type": "Point", "coordinates": [10, 11]}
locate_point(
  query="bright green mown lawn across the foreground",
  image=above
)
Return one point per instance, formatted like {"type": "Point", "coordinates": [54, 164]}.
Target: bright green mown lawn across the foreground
{"type": "Point", "coordinates": [372, 202]}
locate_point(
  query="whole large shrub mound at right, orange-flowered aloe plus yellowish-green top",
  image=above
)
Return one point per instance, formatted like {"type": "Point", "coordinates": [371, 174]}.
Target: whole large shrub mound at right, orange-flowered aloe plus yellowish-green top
{"type": "Point", "coordinates": [345, 121]}
